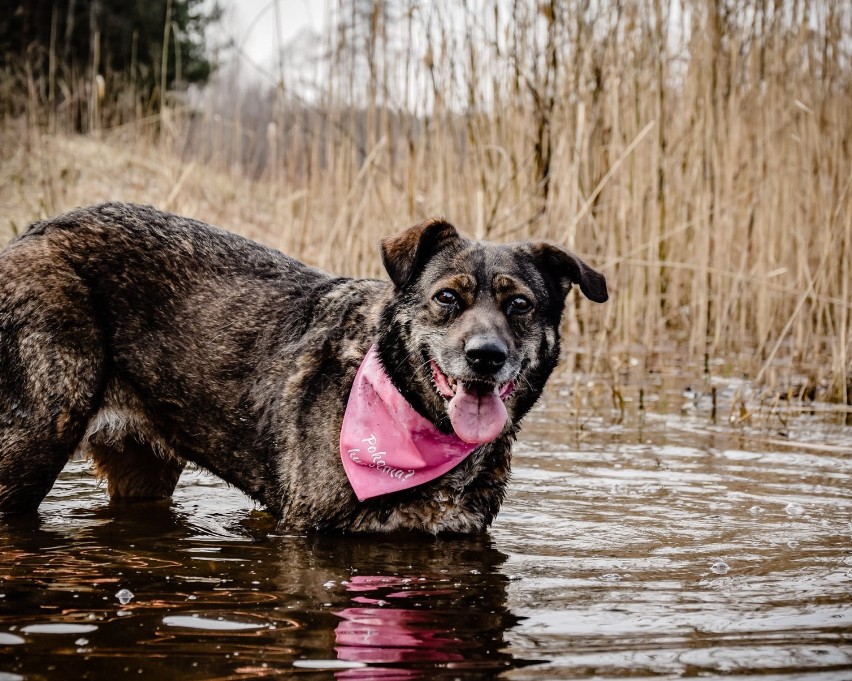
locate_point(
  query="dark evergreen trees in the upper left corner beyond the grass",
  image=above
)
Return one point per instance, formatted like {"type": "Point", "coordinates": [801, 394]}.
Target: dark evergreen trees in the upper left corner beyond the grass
{"type": "Point", "coordinates": [57, 46]}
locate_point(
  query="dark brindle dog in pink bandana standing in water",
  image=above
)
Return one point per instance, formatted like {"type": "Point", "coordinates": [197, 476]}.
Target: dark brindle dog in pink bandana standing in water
{"type": "Point", "coordinates": [147, 341]}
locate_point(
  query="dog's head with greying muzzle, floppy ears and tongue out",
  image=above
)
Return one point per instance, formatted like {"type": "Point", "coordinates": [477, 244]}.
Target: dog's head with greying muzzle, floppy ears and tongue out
{"type": "Point", "coordinates": [472, 332]}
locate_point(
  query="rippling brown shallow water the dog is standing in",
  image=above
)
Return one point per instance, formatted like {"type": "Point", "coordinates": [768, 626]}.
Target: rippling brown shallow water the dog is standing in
{"type": "Point", "coordinates": [658, 543]}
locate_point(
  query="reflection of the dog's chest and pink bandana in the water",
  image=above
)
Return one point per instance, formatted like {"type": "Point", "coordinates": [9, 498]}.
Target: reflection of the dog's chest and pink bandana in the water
{"type": "Point", "coordinates": [439, 604]}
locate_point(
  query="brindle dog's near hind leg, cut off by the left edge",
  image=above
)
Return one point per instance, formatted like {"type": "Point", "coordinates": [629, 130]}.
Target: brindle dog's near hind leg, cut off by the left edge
{"type": "Point", "coordinates": [51, 370]}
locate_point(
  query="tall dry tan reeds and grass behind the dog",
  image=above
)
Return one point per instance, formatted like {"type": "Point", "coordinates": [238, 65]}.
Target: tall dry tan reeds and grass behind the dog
{"type": "Point", "coordinates": [700, 153]}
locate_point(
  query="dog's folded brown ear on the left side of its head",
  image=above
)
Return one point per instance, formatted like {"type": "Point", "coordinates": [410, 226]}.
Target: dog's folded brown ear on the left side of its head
{"type": "Point", "coordinates": [405, 252]}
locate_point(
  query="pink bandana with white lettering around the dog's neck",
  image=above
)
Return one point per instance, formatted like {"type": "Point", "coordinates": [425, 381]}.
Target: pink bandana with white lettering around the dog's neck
{"type": "Point", "coordinates": [386, 446]}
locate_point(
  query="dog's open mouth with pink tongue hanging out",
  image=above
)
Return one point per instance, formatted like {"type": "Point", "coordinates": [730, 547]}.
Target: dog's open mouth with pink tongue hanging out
{"type": "Point", "coordinates": [475, 408]}
